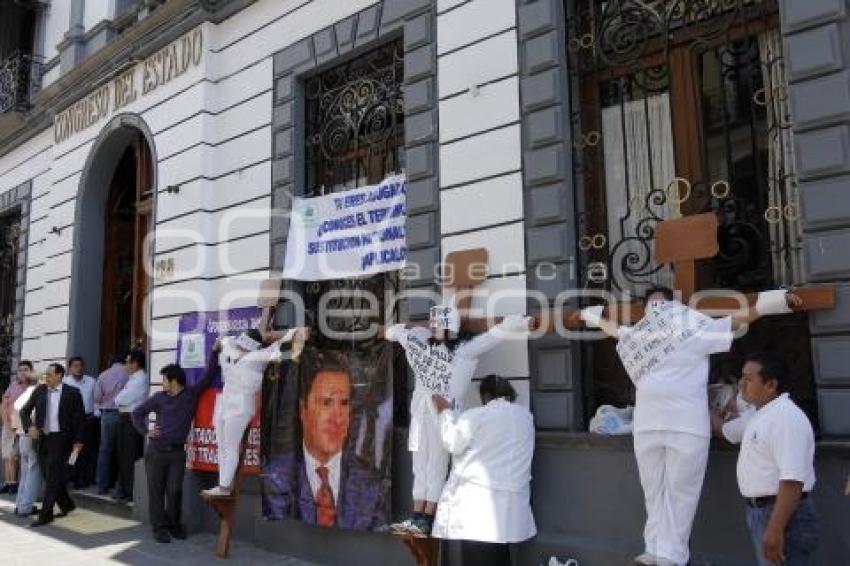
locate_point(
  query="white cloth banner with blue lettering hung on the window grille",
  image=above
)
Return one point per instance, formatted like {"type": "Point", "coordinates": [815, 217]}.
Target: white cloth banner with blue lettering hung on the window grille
{"type": "Point", "coordinates": [353, 233]}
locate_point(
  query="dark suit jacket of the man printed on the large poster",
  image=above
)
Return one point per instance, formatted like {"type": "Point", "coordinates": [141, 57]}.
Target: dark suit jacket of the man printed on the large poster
{"type": "Point", "coordinates": [360, 503]}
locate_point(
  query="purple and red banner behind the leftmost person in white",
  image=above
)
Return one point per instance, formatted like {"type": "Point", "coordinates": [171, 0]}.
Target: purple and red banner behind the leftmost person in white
{"type": "Point", "coordinates": [197, 335]}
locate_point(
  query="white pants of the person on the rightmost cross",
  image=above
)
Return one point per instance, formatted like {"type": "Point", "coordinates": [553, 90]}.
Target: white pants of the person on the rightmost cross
{"type": "Point", "coordinates": [671, 467]}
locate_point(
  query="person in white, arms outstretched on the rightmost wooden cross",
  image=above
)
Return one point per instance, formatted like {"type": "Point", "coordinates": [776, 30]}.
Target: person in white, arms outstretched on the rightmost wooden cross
{"type": "Point", "coordinates": [666, 355]}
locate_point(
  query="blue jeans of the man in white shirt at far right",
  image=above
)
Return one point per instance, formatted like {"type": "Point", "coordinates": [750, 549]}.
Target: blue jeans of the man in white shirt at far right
{"type": "Point", "coordinates": [801, 535]}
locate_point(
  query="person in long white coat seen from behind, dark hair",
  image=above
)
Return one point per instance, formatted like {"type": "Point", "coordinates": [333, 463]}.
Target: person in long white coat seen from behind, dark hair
{"type": "Point", "coordinates": [486, 502]}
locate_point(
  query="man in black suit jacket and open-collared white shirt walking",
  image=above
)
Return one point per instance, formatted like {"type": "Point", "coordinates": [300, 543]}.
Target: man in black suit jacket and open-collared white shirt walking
{"type": "Point", "coordinates": [57, 425]}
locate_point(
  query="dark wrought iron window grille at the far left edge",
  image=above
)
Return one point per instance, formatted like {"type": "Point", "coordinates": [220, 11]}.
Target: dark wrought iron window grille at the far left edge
{"type": "Point", "coordinates": [10, 229]}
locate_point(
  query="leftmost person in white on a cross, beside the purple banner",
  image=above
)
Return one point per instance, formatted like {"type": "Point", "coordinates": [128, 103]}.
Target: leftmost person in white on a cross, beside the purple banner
{"type": "Point", "coordinates": [243, 360]}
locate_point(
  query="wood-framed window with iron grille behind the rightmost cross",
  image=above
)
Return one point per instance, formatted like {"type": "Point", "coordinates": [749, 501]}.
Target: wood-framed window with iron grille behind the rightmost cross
{"type": "Point", "coordinates": [681, 108]}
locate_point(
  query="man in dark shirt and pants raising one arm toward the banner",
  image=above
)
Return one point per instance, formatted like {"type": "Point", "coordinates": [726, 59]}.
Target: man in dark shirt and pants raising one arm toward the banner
{"type": "Point", "coordinates": [165, 457]}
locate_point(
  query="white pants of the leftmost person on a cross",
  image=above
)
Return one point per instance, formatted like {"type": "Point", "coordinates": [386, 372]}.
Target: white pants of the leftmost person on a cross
{"type": "Point", "coordinates": [232, 414]}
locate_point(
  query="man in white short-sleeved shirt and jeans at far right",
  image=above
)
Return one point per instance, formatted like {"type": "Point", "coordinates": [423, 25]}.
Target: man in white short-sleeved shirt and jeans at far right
{"type": "Point", "coordinates": [776, 470]}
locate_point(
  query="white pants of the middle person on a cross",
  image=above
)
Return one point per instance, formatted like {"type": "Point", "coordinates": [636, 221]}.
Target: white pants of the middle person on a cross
{"type": "Point", "coordinates": [430, 460]}
